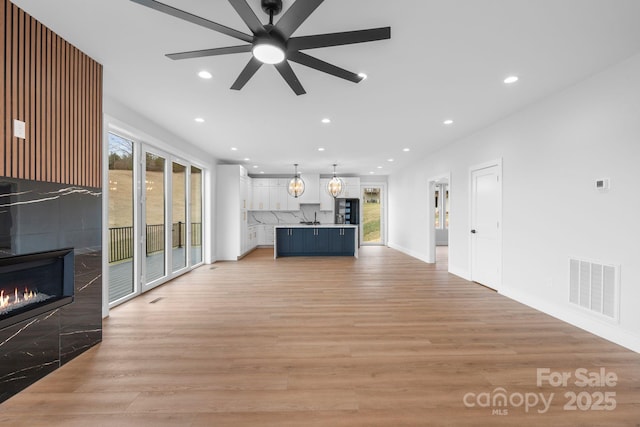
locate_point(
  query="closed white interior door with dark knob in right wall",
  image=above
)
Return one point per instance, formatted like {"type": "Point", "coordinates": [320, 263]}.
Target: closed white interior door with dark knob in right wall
{"type": "Point", "coordinates": [486, 208]}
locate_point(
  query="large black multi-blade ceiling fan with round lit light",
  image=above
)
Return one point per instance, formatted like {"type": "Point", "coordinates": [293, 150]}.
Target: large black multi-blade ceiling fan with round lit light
{"type": "Point", "coordinates": [273, 44]}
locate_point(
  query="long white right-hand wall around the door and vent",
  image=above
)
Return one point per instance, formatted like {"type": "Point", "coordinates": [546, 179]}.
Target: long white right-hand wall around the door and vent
{"type": "Point", "coordinates": [552, 152]}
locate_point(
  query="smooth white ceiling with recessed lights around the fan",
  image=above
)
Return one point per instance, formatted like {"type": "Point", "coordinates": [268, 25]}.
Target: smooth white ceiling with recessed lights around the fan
{"type": "Point", "coordinates": [446, 59]}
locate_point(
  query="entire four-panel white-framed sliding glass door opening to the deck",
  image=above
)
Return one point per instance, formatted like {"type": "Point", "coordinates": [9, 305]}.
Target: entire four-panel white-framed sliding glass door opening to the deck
{"type": "Point", "coordinates": [155, 204]}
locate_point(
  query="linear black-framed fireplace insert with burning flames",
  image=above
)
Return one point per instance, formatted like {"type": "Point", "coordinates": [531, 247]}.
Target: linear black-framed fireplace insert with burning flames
{"type": "Point", "coordinates": [34, 284]}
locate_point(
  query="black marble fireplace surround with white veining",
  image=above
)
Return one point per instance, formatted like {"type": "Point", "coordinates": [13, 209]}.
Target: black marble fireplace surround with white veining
{"type": "Point", "coordinates": [35, 217]}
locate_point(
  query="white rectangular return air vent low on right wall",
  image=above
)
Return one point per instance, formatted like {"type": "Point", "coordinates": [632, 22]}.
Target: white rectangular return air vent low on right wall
{"type": "Point", "coordinates": [594, 286]}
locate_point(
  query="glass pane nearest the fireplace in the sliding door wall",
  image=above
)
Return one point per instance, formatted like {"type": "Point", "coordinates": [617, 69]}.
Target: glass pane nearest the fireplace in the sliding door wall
{"type": "Point", "coordinates": [121, 238]}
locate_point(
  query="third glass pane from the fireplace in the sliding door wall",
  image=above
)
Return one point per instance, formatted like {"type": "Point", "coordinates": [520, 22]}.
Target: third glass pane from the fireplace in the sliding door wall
{"type": "Point", "coordinates": [179, 216]}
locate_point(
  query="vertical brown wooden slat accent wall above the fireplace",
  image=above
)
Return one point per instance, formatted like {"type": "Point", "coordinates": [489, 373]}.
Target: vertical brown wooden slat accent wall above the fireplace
{"type": "Point", "coordinates": [57, 90]}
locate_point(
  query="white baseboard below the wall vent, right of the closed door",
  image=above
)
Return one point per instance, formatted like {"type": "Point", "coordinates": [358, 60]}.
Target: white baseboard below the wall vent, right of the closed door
{"type": "Point", "coordinates": [610, 332]}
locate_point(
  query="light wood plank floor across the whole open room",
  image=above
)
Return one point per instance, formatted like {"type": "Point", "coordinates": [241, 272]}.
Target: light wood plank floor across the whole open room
{"type": "Point", "coordinates": [385, 340]}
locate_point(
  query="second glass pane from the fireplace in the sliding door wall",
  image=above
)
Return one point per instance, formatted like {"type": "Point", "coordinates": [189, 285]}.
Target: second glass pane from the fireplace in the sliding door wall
{"type": "Point", "coordinates": [154, 218]}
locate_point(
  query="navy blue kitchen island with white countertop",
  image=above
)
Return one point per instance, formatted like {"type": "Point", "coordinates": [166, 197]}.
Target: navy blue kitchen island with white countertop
{"type": "Point", "coordinates": [315, 240]}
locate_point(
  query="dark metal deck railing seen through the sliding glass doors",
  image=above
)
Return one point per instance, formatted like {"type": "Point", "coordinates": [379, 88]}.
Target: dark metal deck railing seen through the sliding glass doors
{"type": "Point", "coordinates": [121, 239]}
